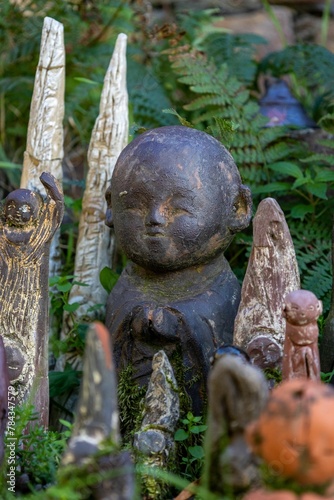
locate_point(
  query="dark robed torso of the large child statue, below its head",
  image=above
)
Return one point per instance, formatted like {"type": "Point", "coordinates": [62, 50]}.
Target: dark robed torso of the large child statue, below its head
{"type": "Point", "coordinates": [187, 318]}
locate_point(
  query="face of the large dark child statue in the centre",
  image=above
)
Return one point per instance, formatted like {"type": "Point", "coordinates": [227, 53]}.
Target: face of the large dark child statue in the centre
{"type": "Point", "coordinates": [165, 219]}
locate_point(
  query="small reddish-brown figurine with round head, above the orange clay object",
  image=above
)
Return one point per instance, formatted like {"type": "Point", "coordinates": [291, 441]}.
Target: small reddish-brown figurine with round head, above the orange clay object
{"type": "Point", "coordinates": [301, 354]}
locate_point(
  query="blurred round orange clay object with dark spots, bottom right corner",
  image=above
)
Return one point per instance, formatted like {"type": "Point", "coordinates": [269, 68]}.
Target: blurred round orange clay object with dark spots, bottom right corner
{"type": "Point", "coordinates": [295, 432]}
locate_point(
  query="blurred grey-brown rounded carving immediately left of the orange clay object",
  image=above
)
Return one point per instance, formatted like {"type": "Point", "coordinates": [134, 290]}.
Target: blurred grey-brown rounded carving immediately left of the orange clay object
{"type": "Point", "coordinates": [237, 393]}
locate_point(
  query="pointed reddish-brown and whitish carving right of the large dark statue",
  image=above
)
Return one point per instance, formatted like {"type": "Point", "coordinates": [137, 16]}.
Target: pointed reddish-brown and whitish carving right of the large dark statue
{"type": "Point", "coordinates": [271, 274]}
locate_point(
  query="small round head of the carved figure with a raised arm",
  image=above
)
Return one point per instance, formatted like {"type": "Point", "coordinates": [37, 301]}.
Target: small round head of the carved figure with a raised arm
{"type": "Point", "coordinates": [22, 207]}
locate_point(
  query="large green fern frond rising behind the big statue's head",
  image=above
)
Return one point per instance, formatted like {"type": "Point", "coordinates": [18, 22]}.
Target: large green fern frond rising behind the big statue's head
{"type": "Point", "coordinates": [223, 105]}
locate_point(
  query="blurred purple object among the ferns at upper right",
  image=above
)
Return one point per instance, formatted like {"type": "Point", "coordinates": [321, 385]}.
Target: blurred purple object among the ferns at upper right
{"type": "Point", "coordinates": [282, 108]}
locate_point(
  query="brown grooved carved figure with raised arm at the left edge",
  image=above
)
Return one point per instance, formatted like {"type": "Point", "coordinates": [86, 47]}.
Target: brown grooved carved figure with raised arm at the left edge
{"type": "Point", "coordinates": [27, 224]}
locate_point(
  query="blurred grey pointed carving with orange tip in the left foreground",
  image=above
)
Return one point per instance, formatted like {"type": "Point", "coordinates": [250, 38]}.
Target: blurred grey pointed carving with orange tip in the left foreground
{"type": "Point", "coordinates": [96, 421]}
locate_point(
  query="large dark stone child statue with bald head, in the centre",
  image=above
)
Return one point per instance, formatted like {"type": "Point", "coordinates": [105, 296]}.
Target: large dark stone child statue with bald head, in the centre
{"type": "Point", "coordinates": [175, 202]}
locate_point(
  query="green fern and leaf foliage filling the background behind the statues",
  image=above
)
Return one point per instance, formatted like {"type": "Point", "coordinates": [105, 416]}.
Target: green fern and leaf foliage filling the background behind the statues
{"type": "Point", "coordinates": [184, 71]}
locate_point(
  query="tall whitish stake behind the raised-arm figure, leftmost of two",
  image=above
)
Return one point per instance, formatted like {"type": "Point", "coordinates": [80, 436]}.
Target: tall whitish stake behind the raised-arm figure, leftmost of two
{"type": "Point", "coordinates": [44, 149]}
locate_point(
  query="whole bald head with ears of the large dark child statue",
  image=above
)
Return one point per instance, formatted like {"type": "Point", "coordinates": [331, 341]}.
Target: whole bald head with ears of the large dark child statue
{"type": "Point", "coordinates": [176, 199]}
